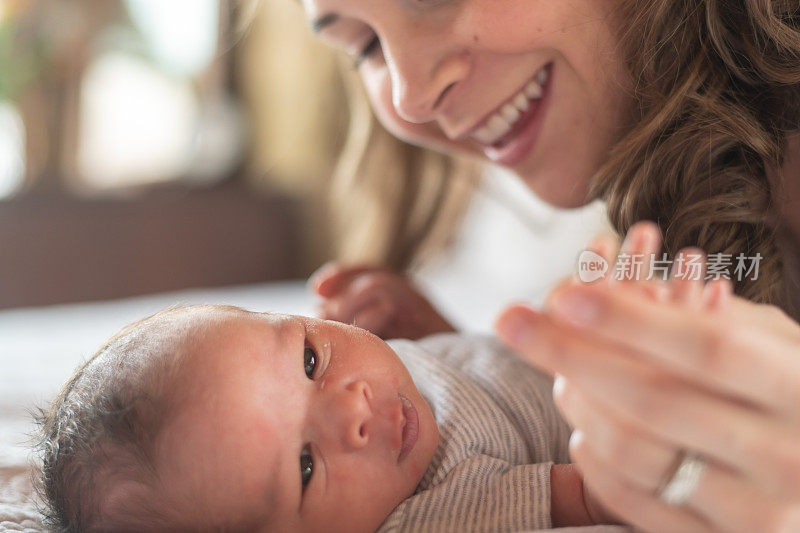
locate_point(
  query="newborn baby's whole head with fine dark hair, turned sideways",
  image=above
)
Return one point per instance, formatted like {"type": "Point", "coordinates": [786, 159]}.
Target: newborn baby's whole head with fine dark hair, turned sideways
{"type": "Point", "coordinates": [215, 418]}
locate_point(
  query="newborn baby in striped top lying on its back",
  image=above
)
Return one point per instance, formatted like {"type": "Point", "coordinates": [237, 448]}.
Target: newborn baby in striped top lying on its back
{"type": "Point", "coordinates": [213, 418]}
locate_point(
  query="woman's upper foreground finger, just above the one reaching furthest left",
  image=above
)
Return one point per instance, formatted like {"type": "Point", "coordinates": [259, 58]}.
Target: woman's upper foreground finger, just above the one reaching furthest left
{"type": "Point", "coordinates": [698, 346]}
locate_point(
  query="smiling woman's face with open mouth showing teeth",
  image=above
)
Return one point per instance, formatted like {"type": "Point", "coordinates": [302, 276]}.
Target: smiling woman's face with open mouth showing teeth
{"type": "Point", "coordinates": [464, 76]}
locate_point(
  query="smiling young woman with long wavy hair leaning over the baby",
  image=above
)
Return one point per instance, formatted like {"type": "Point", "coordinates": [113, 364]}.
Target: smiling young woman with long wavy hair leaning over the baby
{"type": "Point", "coordinates": [683, 112]}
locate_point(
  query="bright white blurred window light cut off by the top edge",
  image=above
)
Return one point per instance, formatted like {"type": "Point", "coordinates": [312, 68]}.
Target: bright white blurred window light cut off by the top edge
{"type": "Point", "coordinates": [181, 35]}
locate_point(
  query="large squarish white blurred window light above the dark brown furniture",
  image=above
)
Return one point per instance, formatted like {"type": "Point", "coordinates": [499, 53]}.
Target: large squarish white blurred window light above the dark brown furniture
{"type": "Point", "coordinates": [137, 124]}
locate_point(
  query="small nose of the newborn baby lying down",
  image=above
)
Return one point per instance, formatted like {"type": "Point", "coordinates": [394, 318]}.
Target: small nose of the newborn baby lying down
{"type": "Point", "coordinates": [351, 412]}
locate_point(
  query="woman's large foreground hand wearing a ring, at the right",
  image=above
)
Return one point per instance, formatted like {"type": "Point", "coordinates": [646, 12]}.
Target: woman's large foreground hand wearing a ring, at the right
{"type": "Point", "coordinates": [649, 370]}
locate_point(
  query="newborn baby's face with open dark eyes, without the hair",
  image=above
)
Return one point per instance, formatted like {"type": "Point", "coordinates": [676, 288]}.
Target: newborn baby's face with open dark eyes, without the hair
{"type": "Point", "coordinates": [296, 424]}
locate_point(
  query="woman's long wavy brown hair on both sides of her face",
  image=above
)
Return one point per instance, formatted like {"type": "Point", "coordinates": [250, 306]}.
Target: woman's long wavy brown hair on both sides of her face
{"type": "Point", "coordinates": [716, 93]}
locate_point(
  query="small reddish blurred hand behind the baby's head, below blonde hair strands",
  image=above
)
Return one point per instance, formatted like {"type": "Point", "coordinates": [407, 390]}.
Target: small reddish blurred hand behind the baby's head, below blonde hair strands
{"type": "Point", "coordinates": [376, 299]}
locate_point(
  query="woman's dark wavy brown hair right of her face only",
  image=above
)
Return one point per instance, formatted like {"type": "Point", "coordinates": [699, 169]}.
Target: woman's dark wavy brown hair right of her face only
{"type": "Point", "coordinates": [717, 85]}
